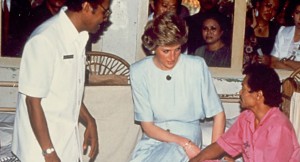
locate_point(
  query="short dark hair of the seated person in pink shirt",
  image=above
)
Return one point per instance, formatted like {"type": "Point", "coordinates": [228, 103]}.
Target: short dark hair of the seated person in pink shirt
{"type": "Point", "coordinates": [262, 77]}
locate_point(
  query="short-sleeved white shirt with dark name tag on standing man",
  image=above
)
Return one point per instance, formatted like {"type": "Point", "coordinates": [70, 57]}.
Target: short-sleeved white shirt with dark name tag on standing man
{"type": "Point", "coordinates": [52, 68]}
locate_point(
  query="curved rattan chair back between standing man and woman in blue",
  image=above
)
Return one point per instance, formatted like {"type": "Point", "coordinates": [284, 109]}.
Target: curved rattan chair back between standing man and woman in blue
{"type": "Point", "coordinates": [106, 69]}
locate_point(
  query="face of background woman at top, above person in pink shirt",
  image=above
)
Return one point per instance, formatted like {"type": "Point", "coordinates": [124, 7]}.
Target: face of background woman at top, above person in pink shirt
{"type": "Point", "coordinates": [267, 9]}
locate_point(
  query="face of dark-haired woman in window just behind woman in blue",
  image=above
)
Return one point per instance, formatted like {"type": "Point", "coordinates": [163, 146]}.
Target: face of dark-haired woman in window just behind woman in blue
{"type": "Point", "coordinates": [211, 31]}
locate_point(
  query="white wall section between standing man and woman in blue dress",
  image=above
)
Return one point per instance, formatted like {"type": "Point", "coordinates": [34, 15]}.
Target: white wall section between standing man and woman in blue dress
{"type": "Point", "coordinates": [123, 36]}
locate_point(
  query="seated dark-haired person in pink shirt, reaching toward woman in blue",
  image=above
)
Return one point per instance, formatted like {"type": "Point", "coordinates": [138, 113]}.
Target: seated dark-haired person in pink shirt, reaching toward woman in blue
{"type": "Point", "coordinates": [262, 133]}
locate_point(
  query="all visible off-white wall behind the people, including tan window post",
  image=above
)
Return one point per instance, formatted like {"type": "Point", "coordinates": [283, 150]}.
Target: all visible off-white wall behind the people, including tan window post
{"type": "Point", "coordinates": [123, 39]}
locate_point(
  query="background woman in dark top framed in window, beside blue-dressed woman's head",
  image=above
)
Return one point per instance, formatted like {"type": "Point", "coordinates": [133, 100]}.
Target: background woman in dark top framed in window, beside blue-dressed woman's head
{"type": "Point", "coordinates": [215, 52]}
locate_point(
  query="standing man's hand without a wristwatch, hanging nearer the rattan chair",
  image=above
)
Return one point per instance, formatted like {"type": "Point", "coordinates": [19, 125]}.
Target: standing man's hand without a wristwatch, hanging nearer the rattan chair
{"type": "Point", "coordinates": [91, 138]}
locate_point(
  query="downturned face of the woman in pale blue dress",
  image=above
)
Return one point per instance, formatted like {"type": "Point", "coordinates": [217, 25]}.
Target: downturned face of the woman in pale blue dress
{"type": "Point", "coordinates": [166, 57]}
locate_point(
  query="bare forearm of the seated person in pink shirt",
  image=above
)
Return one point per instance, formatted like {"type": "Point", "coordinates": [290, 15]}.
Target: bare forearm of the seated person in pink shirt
{"type": "Point", "coordinates": [213, 151]}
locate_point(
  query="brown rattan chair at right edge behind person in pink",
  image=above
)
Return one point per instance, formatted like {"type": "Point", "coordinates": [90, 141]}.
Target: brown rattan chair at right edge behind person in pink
{"type": "Point", "coordinates": [289, 86]}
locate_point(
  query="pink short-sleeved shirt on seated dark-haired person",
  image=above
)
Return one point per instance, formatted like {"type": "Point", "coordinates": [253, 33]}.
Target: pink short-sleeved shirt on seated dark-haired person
{"type": "Point", "coordinates": [274, 140]}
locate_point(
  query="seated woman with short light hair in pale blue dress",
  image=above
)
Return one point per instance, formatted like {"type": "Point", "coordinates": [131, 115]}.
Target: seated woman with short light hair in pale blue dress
{"type": "Point", "coordinates": [171, 93]}
